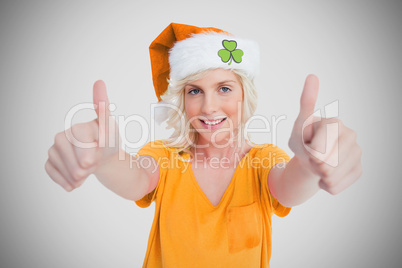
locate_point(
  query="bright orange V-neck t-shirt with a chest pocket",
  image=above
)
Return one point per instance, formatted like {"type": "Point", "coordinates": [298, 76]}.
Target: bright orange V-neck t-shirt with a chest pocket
{"type": "Point", "coordinates": [188, 231]}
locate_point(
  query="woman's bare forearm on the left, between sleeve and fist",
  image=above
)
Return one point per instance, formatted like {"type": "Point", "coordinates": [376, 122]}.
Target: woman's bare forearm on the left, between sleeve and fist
{"type": "Point", "coordinates": [123, 176]}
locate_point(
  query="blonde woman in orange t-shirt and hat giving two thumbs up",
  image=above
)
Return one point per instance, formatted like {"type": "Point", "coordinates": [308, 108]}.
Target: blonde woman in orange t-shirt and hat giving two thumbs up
{"type": "Point", "coordinates": [214, 190]}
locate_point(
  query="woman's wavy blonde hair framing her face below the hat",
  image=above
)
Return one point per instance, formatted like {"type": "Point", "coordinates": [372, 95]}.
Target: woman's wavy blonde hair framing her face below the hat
{"type": "Point", "coordinates": [185, 136]}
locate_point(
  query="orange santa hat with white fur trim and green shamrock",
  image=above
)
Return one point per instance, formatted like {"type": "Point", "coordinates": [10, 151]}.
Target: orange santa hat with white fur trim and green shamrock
{"type": "Point", "coordinates": [181, 50]}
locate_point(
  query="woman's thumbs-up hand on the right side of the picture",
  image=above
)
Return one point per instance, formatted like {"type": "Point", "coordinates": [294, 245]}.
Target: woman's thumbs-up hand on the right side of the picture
{"type": "Point", "coordinates": [325, 146]}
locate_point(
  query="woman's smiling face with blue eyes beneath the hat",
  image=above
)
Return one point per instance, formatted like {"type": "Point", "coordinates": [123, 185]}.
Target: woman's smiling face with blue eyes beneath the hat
{"type": "Point", "coordinates": [213, 106]}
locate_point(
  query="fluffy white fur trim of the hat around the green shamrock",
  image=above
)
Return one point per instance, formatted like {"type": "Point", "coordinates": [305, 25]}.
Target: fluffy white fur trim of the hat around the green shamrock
{"type": "Point", "coordinates": [200, 52]}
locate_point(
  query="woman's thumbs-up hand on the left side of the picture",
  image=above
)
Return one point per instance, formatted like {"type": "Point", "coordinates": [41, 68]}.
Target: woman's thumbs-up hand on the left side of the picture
{"type": "Point", "coordinates": [78, 151]}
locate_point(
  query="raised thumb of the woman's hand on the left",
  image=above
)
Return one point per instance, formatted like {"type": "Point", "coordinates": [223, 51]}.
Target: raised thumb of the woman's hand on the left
{"type": "Point", "coordinates": [101, 104]}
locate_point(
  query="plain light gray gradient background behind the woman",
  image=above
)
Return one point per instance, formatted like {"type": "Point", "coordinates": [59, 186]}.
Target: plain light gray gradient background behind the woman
{"type": "Point", "coordinates": [51, 53]}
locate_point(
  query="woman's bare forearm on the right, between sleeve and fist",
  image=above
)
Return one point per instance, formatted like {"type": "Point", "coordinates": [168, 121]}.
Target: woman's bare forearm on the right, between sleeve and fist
{"type": "Point", "coordinates": [295, 184]}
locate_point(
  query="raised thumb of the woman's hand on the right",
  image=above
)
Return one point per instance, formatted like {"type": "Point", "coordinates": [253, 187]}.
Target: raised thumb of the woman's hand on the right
{"type": "Point", "coordinates": [309, 96]}
